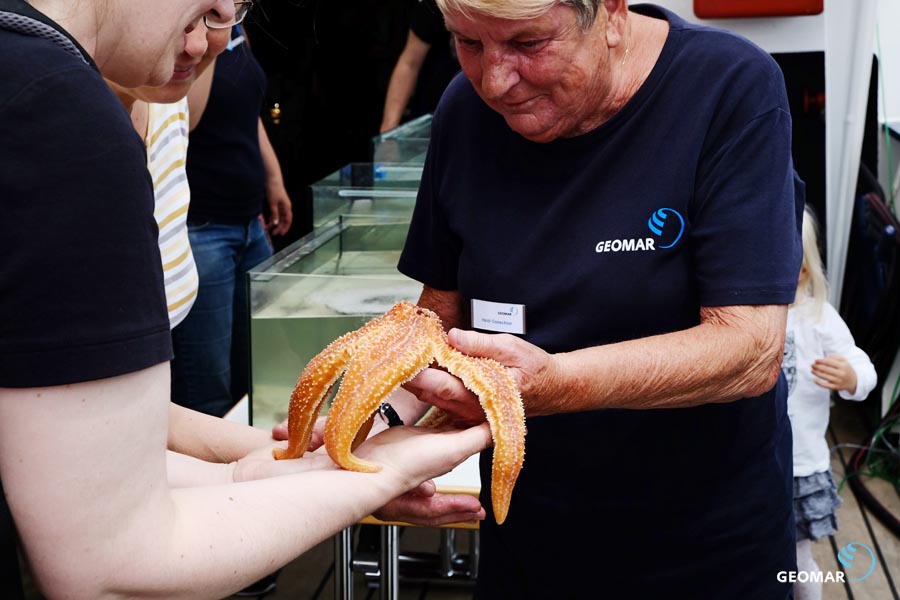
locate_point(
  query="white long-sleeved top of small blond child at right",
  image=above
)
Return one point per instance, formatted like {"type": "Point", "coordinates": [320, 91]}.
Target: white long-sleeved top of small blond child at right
{"type": "Point", "coordinates": [811, 336]}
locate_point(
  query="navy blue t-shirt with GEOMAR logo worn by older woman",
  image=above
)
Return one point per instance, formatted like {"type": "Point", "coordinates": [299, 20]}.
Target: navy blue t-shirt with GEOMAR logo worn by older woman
{"type": "Point", "coordinates": [686, 198]}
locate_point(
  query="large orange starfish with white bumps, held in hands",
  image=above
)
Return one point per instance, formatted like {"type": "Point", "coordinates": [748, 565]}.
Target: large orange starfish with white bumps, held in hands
{"type": "Point", "coordinates": [375, 360]}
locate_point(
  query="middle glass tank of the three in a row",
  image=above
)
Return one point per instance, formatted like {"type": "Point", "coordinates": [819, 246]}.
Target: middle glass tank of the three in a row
{"type": "Point", "coordinates": [366, 189]}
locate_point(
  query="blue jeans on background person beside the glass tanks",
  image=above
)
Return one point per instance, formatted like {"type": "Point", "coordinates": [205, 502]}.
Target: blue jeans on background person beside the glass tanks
{"type": "Point", "coordinates": [211, 368]}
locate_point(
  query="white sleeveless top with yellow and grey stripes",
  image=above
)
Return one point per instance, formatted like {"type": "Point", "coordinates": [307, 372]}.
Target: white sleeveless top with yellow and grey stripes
{"type": "Point", "coordinates": [167, 139]}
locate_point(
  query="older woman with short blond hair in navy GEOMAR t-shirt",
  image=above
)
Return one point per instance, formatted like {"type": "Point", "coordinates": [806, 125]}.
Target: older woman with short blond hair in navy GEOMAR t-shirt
{"type": "Point", "coordinates": [623, 178]}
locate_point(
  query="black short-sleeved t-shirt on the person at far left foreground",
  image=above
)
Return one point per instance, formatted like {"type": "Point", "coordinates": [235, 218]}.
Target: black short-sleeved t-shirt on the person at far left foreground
{"type": "Point", "coordinates": [81, 294]}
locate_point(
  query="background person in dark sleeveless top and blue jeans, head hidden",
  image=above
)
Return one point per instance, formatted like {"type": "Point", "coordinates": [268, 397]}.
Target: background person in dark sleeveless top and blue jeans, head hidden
{"type": "Point", "coordinates": [233, 174]}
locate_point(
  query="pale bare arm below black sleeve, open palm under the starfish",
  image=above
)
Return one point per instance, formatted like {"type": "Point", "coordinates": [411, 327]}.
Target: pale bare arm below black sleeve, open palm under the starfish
{"type": "Point", "coordinates": [85, 466]}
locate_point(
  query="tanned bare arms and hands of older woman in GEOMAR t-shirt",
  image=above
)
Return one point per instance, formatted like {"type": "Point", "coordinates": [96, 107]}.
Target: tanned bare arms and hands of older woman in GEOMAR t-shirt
{"type": "Point", "coordinates": [734, 352]}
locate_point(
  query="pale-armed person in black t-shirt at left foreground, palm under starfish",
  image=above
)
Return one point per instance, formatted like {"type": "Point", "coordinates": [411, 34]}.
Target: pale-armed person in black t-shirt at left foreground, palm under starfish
{"type": "Point", "coordinates": [111, 490]}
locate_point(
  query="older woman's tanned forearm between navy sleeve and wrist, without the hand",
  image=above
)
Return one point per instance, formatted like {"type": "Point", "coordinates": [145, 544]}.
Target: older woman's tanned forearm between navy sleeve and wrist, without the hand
{"type": "Point", "coordinates": [734, 353]}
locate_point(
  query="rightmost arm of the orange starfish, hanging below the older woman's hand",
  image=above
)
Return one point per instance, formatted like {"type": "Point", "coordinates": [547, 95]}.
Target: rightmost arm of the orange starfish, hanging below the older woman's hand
{"type": "Point", "coordinates": [499, 397]}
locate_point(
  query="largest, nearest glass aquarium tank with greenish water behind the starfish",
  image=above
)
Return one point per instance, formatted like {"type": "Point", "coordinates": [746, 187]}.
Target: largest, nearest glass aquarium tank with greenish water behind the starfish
{"type": "Point", "coordinates": [325, 284]}
